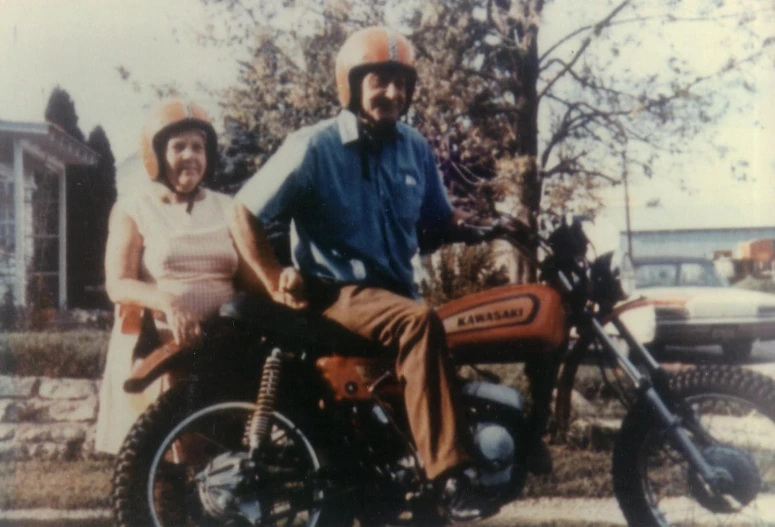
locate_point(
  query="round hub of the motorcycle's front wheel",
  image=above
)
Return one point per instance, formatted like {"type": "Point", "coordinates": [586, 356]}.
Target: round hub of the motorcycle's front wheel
{"type": "Point", "coordinates": [745, 480]}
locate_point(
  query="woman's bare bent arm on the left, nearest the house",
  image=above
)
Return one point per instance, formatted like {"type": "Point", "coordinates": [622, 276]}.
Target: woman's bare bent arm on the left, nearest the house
{"type": "Point", "coordinates": [122, 272]}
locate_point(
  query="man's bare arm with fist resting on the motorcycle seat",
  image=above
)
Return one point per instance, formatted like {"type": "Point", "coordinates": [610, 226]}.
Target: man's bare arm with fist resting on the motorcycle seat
{"type": "Point", "coordinates": [284, 284]}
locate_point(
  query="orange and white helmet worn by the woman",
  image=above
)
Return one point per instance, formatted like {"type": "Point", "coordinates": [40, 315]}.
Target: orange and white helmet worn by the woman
{"type": "Point", "coordinates": [169, 117]}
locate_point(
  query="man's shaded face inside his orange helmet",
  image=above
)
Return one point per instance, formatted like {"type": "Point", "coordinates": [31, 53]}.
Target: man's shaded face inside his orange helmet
{"type": "Point", "coordinates": [383, 95]}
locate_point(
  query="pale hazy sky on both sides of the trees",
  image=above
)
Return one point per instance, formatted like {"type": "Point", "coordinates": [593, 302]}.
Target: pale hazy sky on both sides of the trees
{"type": "Point", "coordinates": [79, 45]}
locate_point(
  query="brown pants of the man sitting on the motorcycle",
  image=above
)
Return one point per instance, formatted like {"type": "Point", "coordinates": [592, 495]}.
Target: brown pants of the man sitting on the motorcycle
{"type": "Point", "coordinates": [413, 332]}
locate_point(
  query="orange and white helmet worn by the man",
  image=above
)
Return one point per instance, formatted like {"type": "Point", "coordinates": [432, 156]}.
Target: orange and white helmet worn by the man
{"type": "Point", "coordinates": [368, 49]}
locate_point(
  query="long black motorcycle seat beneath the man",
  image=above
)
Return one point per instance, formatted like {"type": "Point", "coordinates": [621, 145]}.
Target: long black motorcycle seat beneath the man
{"type": "Point", "coordinates": [296, 329]}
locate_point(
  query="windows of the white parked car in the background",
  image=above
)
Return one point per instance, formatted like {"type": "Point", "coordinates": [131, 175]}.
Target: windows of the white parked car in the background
{"type": "Point", "coordinates": [678, 274]}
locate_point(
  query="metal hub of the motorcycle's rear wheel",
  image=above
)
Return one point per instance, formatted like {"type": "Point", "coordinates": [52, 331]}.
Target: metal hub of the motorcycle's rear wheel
{"type": "Point", "coordinates": [225, 485]}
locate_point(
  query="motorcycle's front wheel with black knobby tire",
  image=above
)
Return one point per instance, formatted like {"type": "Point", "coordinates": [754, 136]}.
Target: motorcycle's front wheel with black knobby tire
{"type": "Point", "coordinates": [653, 483]}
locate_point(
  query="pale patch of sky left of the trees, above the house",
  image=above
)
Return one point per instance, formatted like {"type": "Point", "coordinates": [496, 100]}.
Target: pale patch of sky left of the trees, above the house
{"type": "Point", "coordinates": [79, 45]}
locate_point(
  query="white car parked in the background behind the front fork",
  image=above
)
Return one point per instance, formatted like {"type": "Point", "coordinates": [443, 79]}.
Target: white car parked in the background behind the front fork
{"type": "Point", "coordinates": [695, 305]}
